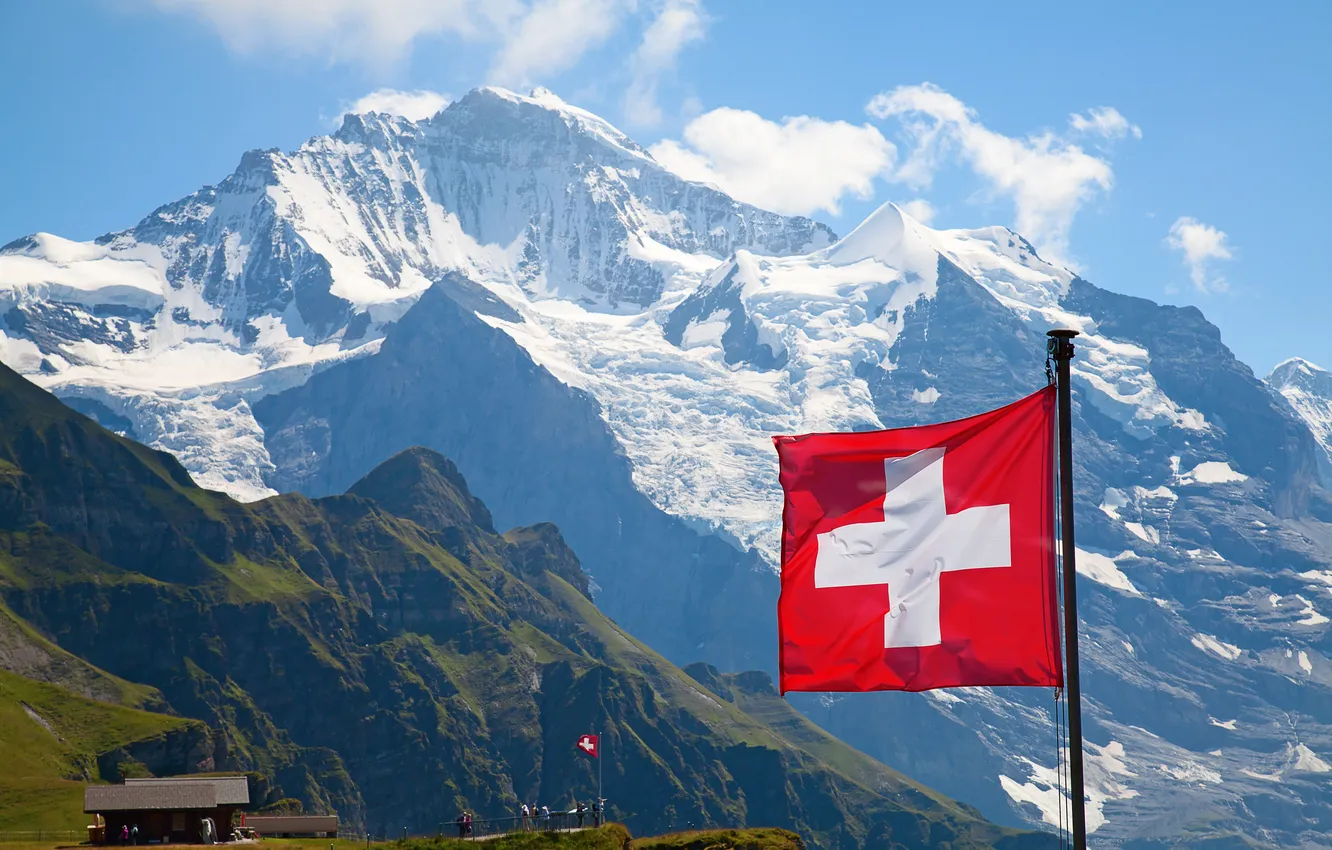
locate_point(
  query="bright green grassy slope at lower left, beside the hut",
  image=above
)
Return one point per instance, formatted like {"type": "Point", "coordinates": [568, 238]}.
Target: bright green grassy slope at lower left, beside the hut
{"type": "Point", "coordinates": [50, 745]}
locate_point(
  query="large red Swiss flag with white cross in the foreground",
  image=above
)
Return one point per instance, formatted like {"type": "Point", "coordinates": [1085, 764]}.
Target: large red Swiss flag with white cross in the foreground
{"type": "Point", "coordinates": [922, 558]}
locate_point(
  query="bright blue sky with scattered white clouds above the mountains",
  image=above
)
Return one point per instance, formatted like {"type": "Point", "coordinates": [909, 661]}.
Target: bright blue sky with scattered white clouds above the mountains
{"type": "Point", "coordinates": [1197, 171]}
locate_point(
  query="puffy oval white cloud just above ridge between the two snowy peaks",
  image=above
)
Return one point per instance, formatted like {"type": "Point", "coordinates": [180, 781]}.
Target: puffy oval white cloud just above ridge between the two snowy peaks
{"type": "Point", "coordinates": [797, 167]}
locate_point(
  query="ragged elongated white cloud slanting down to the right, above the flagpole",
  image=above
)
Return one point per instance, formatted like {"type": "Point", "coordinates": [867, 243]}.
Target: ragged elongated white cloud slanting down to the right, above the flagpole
{"type": "Point", "coordinates": [1048, 178]}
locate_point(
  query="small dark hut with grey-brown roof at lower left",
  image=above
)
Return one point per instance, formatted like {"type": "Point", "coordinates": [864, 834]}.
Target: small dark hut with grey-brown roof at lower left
{"type": "Point", "coordinates": [168, 809]}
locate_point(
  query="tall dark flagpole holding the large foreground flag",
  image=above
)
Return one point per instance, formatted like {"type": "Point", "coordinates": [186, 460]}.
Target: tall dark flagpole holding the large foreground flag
{"type": "Point", "coordinates": [1062, 352]}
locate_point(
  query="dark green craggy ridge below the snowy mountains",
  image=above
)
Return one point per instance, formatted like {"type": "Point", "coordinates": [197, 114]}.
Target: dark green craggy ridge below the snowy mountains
{"type": "Point", "coordinates": [387, 655]}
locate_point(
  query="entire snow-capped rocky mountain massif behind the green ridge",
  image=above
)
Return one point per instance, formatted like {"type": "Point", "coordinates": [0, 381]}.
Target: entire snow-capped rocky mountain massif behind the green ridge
{"type": "Point", "coordinates": [603, 344]}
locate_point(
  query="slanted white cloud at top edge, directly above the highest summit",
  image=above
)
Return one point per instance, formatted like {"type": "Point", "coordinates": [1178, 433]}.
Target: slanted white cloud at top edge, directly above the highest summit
{"type": "Point", "coordinates": [553, 35]}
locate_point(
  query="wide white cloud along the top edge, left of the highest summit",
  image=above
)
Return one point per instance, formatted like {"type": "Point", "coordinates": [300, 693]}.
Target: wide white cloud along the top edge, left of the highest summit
{"type": "Point", "coordinates": [378, 31]}
